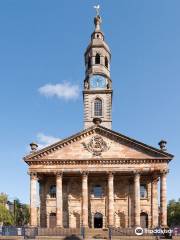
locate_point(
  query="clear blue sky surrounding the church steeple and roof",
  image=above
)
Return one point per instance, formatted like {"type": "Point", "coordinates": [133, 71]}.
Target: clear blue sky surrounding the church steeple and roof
{"type": "Point", "coordinates": [42, 42]}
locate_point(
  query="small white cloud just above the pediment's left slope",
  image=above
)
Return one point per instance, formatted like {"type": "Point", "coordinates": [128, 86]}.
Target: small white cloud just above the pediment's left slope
{"type": "Point", "coordinates": [45, 140]}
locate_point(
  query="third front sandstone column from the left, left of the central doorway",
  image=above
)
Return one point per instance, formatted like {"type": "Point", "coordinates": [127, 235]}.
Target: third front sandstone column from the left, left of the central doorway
{"type": "Point", "coordinates": [85, 199]}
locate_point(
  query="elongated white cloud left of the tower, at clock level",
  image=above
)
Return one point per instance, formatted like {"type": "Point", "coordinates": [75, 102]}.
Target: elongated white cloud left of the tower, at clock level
{"type": "Point", "coordinates": [60, 90]}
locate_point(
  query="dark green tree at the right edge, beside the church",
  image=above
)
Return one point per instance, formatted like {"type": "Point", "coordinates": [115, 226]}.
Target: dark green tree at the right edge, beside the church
{"type": "Point", "coordinates": [173, 211]}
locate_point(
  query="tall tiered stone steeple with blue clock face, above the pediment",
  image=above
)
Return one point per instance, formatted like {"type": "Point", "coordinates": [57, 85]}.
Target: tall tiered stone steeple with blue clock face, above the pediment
{"type": "Point", "coordinates": [97, 93]}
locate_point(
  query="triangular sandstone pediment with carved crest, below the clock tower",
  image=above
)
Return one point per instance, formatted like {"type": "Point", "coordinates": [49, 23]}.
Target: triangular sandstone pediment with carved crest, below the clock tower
{"type": "Point", "coordinates": [98, 142]}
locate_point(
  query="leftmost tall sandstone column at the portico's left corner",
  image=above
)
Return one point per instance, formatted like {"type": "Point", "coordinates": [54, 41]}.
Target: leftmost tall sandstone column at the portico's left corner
{"type": "Point", "coordinates": [33, 192]}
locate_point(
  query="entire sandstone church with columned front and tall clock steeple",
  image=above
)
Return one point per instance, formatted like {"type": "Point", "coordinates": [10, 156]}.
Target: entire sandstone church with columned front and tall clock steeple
{"type": "Point", "coordinates": [98, 178]}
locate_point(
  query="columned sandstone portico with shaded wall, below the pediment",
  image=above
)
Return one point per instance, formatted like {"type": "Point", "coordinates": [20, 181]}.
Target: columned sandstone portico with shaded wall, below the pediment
{"type": "Point", "coordinates": [108, 206]}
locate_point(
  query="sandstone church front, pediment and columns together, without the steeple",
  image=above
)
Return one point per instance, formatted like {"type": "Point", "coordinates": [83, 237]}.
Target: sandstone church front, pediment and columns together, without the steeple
{"type": "Point", "coordinates": [120, 168]}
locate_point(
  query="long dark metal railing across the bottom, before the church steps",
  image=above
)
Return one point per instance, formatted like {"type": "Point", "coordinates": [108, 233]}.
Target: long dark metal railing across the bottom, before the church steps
{"type": "Point", "coordinates": [77, 233]}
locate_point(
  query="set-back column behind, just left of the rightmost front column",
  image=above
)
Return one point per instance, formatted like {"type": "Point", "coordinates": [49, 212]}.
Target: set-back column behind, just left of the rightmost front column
{"type": "Point", "coordinates": [154, 201]}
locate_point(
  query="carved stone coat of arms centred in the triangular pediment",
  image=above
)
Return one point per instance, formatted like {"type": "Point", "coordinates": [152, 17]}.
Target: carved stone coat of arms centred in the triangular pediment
{"type": "Point", "coordinates": [96, 145]}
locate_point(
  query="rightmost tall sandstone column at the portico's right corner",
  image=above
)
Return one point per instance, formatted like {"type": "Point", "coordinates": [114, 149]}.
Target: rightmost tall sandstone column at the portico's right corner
{"type": "Point", "coordinates": [163, 200]}
